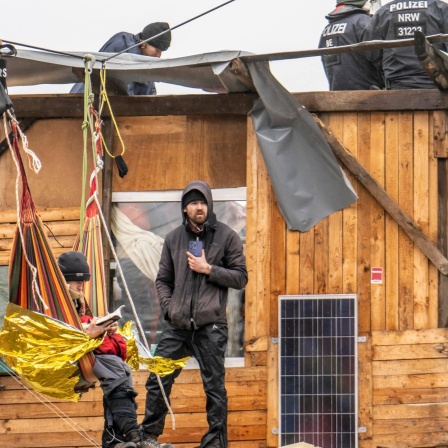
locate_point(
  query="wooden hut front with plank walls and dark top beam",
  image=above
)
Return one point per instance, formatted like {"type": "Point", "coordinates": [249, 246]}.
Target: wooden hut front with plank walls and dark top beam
{"type": "Point", "coordinates": [387, 250]}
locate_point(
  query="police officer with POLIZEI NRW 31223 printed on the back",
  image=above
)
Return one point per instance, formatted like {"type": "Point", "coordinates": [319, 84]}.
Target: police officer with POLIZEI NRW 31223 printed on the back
{"type": "Point", "coordinates": [399, 19]}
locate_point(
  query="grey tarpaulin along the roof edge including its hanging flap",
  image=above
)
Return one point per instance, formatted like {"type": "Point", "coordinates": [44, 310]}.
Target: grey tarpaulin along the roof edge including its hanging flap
{"type": "Point", "coordinates": [307, 180]}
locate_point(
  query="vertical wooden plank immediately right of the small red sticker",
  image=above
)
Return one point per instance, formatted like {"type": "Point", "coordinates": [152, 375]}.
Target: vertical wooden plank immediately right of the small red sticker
{"type": "Point", "coordinates": [391, 271]}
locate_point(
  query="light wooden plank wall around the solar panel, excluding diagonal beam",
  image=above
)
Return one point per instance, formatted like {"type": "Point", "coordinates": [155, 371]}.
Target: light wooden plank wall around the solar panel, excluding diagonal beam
{"type": "Point", "coordinates": [402, 382]}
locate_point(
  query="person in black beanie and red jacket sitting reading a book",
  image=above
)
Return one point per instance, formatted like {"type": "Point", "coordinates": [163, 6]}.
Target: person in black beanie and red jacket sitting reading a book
{"type": "Point", "coordinates": [121, 429]}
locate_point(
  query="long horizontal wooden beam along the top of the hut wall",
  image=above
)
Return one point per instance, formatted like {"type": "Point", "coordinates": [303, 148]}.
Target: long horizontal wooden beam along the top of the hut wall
{"type": "Point", "coordinates": [71, 105]}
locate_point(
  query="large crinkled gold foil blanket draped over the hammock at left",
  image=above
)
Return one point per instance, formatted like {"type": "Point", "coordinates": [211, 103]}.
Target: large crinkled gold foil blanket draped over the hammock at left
{"type": "Point", "coordinates": [43, 351]}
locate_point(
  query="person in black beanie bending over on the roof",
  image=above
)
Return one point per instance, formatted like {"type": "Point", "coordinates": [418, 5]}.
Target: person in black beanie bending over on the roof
{"type": "Point", "coordinates": [154, 48]}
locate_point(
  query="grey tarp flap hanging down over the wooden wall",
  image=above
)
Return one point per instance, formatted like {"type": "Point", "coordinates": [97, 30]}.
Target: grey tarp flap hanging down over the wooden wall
{"type": "Point", "coordinates": [309, 184]}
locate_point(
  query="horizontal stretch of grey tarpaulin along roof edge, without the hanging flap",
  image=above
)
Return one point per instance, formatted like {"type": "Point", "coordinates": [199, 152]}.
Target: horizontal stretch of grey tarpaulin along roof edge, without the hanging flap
{"type": "Point", "coordinates": [210, 72]}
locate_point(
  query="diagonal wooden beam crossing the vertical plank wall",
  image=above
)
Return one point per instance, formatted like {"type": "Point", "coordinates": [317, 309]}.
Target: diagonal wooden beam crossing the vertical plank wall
{"type": "Point", "coordinates": [405, 222]}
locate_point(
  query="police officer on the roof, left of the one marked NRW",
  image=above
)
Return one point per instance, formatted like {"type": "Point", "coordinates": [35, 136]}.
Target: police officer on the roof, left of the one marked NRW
{"type": "Point", "coordinates": [348, 71]}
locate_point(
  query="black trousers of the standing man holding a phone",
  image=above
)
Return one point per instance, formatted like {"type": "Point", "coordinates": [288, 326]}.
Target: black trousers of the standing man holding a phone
{"type": "Point", "coordinates": [208, 345]}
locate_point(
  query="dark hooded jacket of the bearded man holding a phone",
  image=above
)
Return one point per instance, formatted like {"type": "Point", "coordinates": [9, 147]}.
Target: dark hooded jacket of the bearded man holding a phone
{"type": "Point", "coordinates": [189, 299]}
